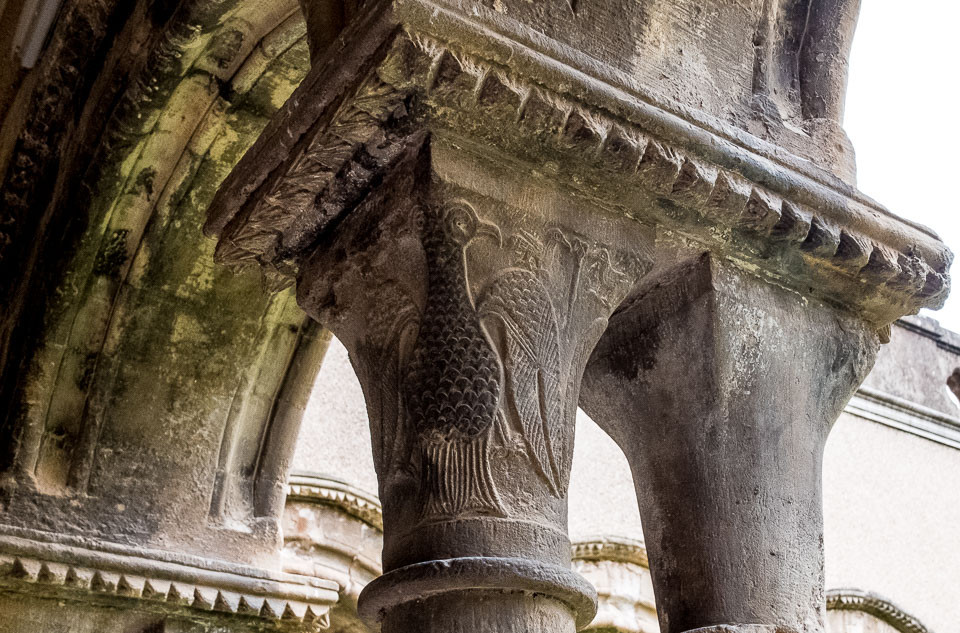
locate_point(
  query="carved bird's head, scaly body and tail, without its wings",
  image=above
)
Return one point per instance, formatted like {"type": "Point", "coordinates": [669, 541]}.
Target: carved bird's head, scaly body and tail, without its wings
{"type": "Point", "coordinates": [454, 379]}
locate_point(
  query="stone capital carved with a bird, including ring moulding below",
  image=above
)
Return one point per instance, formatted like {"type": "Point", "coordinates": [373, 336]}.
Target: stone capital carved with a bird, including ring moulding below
{"type": "Point", "coordinates": [469, 322]}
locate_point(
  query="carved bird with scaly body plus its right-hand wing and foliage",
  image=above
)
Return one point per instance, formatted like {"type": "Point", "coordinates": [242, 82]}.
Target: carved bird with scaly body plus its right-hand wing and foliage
{"type": "Point", "coordinates": [490, 367]}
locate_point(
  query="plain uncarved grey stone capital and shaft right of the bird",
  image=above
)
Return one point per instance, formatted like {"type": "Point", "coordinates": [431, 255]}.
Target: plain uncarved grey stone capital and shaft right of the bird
{"type": "Point", "coordinates": [722, 388]}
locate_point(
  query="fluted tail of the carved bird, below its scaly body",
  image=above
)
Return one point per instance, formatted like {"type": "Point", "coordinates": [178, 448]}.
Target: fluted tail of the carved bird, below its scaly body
{"type": "Point", "coordinates": [456, 479]}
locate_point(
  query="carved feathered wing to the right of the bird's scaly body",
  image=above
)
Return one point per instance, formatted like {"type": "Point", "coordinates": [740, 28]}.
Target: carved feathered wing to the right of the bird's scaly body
{"type": "Point", "coordinates": [519, 302]}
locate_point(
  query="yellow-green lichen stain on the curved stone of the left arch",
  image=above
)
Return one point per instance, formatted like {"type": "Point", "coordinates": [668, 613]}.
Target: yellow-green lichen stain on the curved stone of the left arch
{"type": "Point", "coordinates": [188, 329]}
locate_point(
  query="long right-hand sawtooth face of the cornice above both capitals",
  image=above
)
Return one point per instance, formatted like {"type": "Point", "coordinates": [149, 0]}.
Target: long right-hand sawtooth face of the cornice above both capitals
{"type": "Point", "coordinates": [780, 220]}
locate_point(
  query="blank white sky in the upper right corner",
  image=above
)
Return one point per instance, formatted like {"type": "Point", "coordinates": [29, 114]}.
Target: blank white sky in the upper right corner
{"type": "Point", "coordinates": [904, 119]}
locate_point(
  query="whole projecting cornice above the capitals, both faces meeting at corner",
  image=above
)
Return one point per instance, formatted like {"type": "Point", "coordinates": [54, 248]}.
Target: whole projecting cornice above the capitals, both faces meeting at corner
{"type": "Point", "coordinates": [726, 190]}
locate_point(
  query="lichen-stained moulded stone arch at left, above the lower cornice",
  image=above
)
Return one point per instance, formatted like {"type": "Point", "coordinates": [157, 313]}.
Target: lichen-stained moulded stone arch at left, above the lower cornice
{"type": "Point", "coordinates": [158, 391]}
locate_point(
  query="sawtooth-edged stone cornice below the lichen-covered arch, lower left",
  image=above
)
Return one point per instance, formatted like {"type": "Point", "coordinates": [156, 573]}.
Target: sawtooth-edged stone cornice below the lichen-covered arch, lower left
{"type": "Point", "coordinates": [36, 562]}
